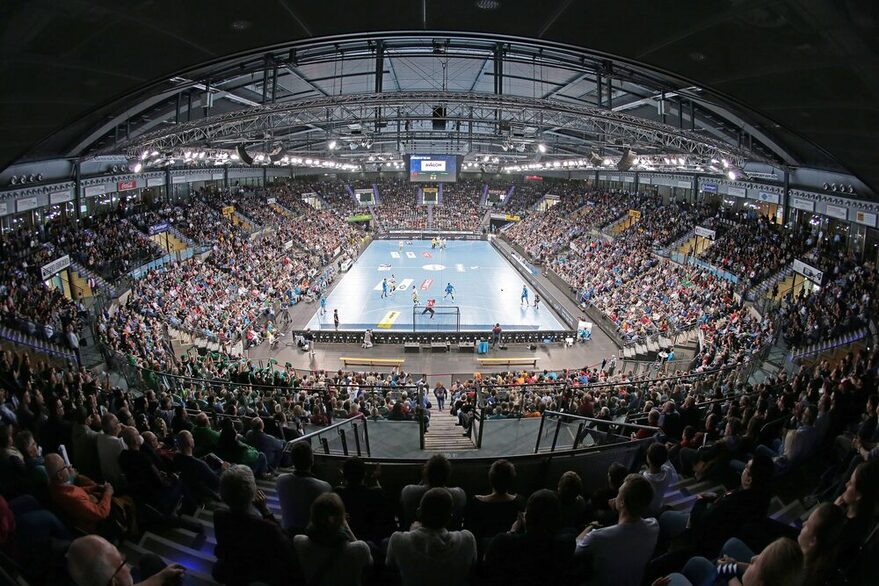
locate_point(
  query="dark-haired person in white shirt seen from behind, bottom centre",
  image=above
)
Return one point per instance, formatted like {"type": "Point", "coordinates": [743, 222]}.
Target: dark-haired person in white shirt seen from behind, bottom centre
{"type": "Point", "coordinates": [430, 554]}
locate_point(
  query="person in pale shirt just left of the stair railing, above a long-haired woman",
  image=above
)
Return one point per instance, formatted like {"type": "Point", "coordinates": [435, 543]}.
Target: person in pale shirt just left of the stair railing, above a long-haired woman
{"type": "Point", "coordinates": [297, 491]}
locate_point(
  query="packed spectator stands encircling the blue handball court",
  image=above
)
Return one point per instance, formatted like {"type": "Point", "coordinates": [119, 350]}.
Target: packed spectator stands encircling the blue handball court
{"type": "Point", "coordinates": [197, 463]}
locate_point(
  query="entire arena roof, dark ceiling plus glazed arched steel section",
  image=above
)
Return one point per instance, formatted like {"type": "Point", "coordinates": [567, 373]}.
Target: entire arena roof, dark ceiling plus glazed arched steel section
{"type": "Point", "coordinates": [785, 82]}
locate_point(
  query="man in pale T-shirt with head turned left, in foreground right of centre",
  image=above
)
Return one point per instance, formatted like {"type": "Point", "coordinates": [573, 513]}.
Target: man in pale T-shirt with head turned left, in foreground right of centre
{"type": "Point", "coordinates": [617, 555]}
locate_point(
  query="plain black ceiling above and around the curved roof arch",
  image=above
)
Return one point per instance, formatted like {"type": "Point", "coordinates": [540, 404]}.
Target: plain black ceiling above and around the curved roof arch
{"type": "Point", "coordinates": [811, 66]}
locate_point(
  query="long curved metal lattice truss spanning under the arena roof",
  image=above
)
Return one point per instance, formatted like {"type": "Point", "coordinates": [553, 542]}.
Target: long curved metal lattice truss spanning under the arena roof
{"type": "Point", "coordinates": [485, 111]}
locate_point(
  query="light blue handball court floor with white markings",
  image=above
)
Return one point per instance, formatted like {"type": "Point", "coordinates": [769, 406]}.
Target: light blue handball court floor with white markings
{"type": "Point", "coordinates": [487, 290]}
